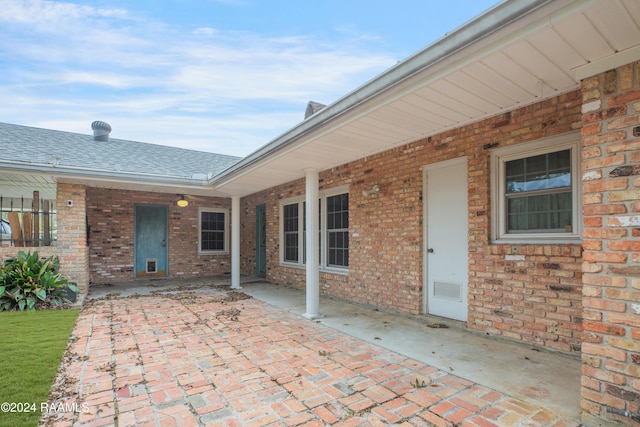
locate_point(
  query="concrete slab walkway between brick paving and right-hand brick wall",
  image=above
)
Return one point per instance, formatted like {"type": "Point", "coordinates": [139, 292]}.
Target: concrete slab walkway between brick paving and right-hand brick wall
{"type": "Point", "coordinates": [547, 378]}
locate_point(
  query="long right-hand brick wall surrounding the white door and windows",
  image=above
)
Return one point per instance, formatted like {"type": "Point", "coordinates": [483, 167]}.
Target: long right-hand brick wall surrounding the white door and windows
{"type": "Point", "coordinates": [535, 299]}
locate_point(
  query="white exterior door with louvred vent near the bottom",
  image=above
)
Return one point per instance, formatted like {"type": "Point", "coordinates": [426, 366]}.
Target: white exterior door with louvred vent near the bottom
{"type": "Point", "coordinates": [446, 239]}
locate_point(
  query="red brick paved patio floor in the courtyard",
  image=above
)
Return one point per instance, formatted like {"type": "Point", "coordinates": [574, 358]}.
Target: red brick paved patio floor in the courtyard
{"type": "Point", "coordinates": [217, 359]}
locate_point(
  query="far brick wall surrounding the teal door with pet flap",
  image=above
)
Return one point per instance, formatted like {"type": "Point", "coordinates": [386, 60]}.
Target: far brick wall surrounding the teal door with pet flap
{"type": "Point", "coordinates": [110, 216]}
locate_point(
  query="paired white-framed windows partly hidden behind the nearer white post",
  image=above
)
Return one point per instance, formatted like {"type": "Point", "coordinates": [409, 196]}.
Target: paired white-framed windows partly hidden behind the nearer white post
{"type": "Point", "coordinates": [333, 231]}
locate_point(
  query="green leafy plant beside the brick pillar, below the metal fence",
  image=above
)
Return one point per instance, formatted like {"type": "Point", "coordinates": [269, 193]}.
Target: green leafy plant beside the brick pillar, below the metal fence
{"type": "Point", "coordinates": [27, 283]}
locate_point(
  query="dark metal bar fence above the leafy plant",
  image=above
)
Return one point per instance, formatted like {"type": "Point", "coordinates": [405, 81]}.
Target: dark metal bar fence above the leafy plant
{"type": "Point", "coordinates": [28, 222]}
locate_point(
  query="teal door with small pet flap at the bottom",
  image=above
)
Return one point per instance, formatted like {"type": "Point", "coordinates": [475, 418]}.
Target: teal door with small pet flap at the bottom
{"type": "Point", "coordinates": [150, 240]}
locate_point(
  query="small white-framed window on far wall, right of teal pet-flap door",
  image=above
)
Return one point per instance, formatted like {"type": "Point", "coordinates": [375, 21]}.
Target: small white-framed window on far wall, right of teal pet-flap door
{"type": "Point", "coordinates": [213, 235]}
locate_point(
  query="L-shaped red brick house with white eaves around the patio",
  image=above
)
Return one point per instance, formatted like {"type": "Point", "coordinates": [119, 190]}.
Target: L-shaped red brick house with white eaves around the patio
{"type": "Point", "coordinates": [492, 178]}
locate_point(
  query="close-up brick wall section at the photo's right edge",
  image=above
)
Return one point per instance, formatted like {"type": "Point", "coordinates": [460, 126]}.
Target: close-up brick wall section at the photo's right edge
{"type": "Point", "coordinates": [611, 291]}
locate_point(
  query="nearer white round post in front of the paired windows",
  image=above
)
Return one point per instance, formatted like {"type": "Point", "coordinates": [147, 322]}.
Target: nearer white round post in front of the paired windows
{"type": "Point", "coordinates": [313, 273]}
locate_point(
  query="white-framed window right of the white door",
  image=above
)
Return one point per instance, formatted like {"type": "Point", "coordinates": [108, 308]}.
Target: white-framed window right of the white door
{"type": "Point", "coordinates": [537, 191]}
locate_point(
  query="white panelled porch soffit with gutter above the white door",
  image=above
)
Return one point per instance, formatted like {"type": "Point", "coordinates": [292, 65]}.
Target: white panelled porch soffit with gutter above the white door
{"type": "Point", "coordinates": [536, 52]}
